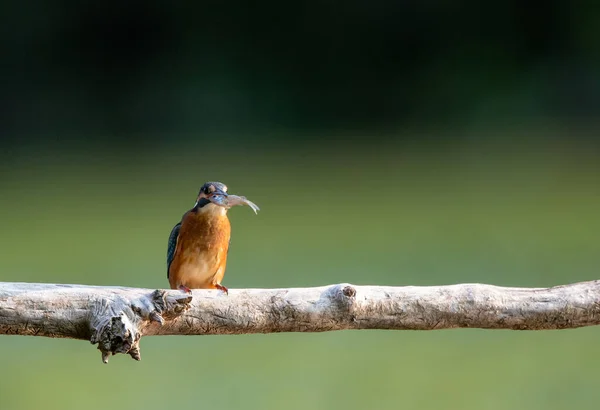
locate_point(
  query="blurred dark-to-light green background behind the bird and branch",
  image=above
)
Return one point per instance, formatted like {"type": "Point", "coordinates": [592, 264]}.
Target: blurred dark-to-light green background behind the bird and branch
{"type": "Point", "coordinates": [387, 143]}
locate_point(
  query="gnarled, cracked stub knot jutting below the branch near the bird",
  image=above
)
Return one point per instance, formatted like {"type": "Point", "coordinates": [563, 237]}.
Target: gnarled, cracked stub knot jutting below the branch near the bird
{"type": "Point", "coordinates": [116, 323]}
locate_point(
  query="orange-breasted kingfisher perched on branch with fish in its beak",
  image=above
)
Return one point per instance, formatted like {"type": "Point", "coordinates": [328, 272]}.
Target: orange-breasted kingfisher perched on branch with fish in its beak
{"type": "Point", "coordinates": [198, 245]}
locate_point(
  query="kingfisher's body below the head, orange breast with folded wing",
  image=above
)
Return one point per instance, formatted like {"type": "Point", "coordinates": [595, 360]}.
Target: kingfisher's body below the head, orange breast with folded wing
{"type": "Point", "coordinates": [201, 253]}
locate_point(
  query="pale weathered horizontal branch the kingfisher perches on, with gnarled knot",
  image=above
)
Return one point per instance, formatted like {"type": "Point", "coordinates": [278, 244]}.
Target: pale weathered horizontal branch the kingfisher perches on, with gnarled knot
{"type": "Point", "coordinates": [115, 317]}
